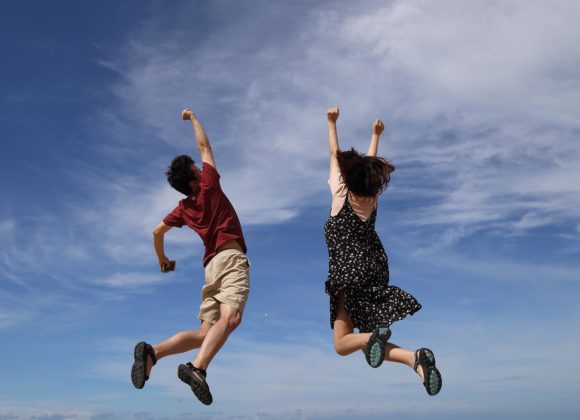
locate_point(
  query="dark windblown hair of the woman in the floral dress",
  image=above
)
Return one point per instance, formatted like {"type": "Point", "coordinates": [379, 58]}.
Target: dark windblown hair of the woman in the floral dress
{"type": "Point", "coordinates": [364, 176]}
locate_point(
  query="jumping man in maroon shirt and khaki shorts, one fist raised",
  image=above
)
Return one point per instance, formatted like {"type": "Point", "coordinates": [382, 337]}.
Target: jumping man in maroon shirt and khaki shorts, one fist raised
{"type": "Point", "coordinates": [206, 210]}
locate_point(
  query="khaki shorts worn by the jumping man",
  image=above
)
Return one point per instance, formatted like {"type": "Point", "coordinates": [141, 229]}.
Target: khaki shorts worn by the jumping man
{"type": "Point", "coordinates": [227, 280]}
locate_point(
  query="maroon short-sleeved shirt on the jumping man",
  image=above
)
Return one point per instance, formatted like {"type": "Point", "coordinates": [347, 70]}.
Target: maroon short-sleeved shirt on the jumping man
{"type": "Point", "coordinates": [210, 214]}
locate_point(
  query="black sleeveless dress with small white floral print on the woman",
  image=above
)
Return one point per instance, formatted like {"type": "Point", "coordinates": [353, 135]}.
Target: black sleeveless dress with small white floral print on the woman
{"type": "Point", "coordinates": [359, 268]}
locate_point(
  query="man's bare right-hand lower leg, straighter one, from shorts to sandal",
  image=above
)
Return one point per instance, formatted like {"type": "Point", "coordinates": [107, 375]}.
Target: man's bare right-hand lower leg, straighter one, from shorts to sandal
{"type": "Point", "coordinates": [217, 335]}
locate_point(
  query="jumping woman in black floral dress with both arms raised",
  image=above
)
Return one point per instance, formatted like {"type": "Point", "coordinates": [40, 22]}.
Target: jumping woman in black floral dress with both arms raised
{"type": "Point", "coordinates": [358, 277]}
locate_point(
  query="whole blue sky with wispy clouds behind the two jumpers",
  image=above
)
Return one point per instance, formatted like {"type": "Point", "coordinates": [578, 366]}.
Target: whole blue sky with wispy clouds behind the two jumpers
{"type": "Point", "coordinates": [481, 220]}
